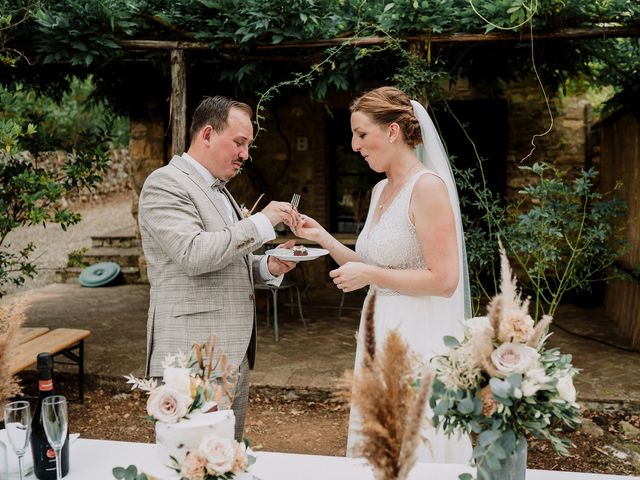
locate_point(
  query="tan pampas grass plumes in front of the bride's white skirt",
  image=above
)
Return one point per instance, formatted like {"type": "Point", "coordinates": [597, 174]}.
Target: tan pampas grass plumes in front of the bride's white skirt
{"type": "Point", "coordinates": [390, 401]}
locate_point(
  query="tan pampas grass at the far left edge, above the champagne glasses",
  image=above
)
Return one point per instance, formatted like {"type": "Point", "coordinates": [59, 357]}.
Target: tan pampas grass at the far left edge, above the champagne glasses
{"type": "Point", "coordinates": [12, 315]}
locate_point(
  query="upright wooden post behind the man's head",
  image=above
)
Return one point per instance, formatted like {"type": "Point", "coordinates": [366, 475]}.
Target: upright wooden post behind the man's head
{"type": "Point", "coordinates": [178, 102]}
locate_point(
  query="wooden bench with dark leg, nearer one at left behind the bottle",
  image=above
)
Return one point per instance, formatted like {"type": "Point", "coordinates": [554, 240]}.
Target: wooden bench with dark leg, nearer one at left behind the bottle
{"type": "Point", "coordinates": [59, 341]}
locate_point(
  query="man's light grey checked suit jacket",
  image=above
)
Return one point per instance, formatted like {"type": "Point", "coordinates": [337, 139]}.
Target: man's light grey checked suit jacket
{"type": "Point", "coordinates": [200, 267]}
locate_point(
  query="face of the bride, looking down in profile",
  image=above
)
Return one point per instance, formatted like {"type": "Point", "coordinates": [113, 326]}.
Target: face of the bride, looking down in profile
{"type": "Point", "coordinates": [370, 140]}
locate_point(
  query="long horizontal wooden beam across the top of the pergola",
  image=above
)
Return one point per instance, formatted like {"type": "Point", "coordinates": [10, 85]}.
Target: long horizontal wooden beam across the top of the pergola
{"type": "Point", "coordinates": [593, 33]}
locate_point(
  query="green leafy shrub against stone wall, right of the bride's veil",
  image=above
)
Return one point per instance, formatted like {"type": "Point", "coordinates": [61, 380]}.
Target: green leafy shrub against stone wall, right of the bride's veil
{"type": "Point", "coordinates": [563, 235]}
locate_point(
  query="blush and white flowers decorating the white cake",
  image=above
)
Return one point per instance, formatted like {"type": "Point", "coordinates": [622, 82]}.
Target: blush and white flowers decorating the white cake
{"type": "Point", "coordinates": [191, 386]}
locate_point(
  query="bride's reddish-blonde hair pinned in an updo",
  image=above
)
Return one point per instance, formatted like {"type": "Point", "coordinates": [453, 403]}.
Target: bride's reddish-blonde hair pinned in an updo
{"type": "Point", "coordinates": [387, 105]}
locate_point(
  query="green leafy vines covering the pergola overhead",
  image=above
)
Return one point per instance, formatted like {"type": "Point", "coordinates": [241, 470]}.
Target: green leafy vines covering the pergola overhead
{"type": "Point", "coordinates": [86, 36]}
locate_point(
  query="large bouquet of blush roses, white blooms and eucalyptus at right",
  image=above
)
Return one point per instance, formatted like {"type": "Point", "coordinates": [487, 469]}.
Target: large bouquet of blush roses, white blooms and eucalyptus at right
{"type": "Point", "coordinates": [501, 383]}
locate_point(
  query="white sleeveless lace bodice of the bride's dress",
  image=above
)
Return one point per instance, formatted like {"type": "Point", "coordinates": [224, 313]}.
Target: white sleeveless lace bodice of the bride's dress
{"type": "Point", "coordinates": [392, 242]}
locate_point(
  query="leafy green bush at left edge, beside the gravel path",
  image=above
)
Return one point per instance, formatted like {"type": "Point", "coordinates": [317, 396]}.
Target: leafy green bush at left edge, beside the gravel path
{"type": "Point", "coordinates": [31, 194]}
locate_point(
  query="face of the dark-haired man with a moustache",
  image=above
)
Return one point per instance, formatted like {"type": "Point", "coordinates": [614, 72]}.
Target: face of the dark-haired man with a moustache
{"type": "Point", "coordinates": [229, 149]}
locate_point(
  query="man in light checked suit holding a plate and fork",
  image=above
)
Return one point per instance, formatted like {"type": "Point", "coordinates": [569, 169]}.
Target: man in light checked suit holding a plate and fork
{"type": "Point", "coordinates": [198, 246]}
